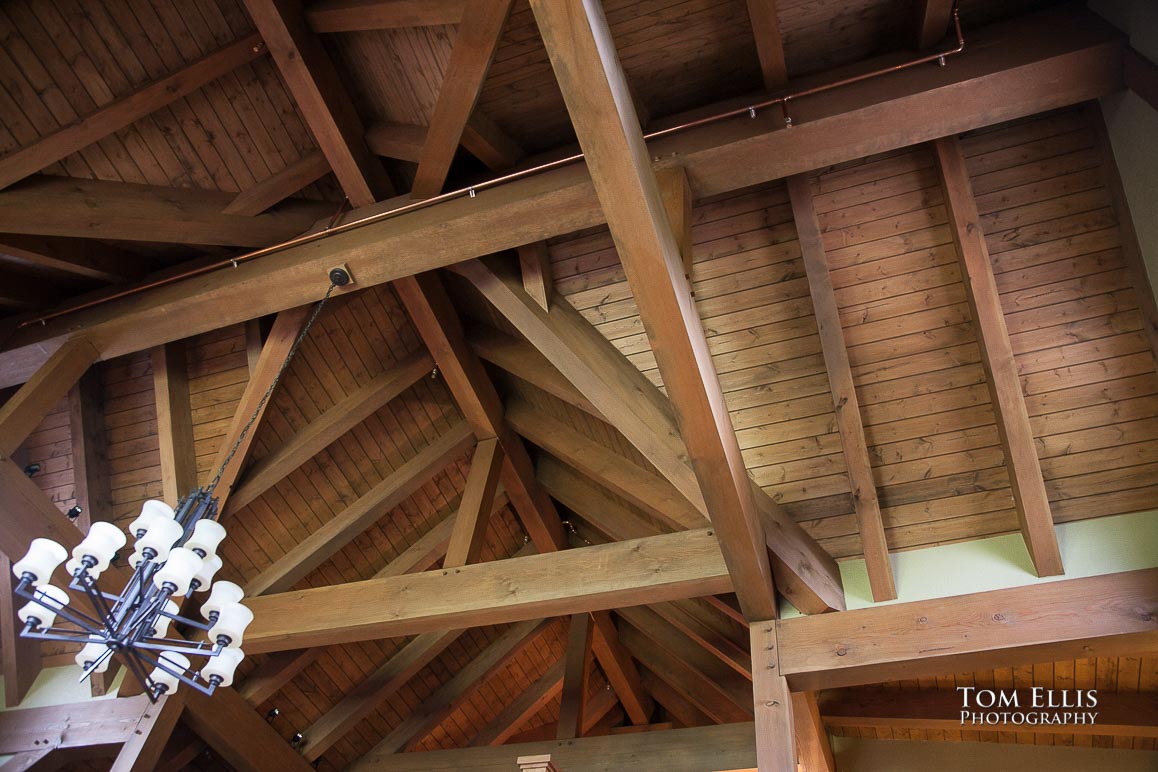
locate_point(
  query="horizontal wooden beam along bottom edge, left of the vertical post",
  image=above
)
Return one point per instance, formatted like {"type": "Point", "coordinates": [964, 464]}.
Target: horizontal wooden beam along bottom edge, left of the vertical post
{"type": "Point", "coordinates": [725, 747]}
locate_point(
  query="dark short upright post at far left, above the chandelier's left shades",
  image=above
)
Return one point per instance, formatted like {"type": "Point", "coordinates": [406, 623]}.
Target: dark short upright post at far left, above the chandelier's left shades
{"type": "Point", "coordinates": [90, 450]}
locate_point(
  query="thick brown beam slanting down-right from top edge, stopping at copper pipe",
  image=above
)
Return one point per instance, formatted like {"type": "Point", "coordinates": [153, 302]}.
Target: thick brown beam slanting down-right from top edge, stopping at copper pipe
{"type": "Point", "coordinates": [323, 99]}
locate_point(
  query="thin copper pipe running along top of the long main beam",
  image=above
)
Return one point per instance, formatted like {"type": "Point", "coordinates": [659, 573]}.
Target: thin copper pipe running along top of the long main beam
{"type": "Point", "coordinates": [471, 190]}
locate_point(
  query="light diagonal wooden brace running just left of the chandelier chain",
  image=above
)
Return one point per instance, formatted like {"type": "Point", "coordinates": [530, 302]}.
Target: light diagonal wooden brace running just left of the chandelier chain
{"type": "Point", "coordinates": [277, 348]}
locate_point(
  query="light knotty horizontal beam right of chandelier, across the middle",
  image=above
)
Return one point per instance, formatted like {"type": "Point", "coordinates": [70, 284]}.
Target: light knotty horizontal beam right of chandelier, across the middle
{"type": "Point", "coordinates": [646, 571]}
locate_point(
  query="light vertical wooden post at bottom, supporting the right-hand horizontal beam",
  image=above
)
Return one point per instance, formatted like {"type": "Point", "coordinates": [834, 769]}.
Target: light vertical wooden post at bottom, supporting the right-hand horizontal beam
{"type": "Point", "coordinates": [775, 733]}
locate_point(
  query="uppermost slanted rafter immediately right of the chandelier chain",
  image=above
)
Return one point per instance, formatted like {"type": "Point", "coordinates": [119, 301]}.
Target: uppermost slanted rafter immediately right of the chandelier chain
{"type": "Point", "coordinates": [328, 428]}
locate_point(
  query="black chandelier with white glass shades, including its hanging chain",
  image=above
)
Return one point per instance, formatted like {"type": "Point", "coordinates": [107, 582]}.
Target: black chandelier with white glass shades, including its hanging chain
{"type": "Point", "coordinates": [175, 557]}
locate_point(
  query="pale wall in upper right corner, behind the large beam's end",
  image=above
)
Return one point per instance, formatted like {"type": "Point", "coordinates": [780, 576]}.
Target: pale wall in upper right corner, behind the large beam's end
{"type": "Point", "coordinates": [1134, 126]}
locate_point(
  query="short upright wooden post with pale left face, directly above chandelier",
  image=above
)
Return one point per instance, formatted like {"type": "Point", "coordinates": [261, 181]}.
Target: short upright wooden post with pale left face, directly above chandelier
{"type": "Point", "coordinates": [174, 422]}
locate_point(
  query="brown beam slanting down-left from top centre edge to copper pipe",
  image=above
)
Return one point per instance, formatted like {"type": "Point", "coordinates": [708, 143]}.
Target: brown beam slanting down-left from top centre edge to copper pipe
{"type": "Point", "coordinates": [474, 48]}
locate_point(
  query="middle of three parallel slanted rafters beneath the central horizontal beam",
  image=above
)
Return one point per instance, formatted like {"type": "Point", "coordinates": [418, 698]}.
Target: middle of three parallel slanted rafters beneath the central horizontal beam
{"type": "Point", "coordinates": [448, 699]}
